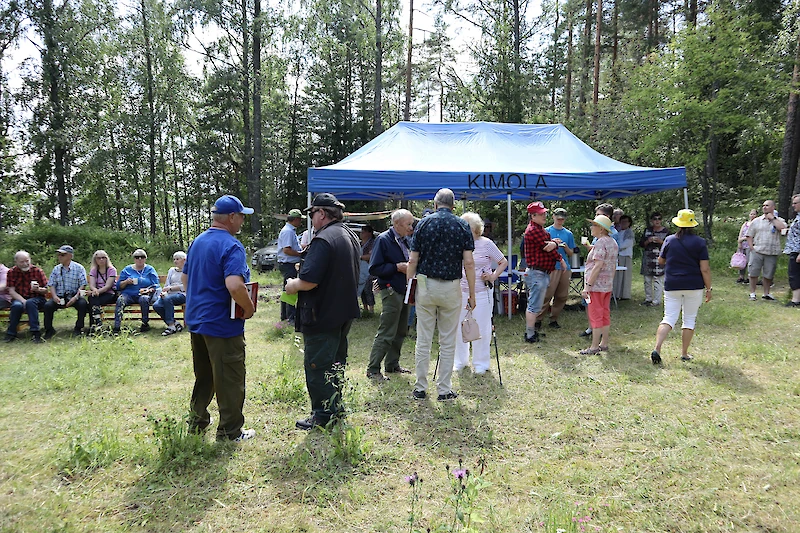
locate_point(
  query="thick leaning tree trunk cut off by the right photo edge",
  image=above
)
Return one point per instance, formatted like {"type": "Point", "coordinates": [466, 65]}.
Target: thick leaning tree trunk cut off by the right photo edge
{"type": "Point", "coordinates": [791, 142]}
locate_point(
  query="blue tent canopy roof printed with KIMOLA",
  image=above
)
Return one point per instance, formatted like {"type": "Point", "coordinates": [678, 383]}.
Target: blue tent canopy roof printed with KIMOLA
{"type": "Point", "coordinates": [485, 161]}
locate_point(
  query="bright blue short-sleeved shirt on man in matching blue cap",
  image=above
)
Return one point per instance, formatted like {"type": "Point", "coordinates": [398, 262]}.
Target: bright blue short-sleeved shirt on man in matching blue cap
{"type": "Point", "coordinates": [214, 255]}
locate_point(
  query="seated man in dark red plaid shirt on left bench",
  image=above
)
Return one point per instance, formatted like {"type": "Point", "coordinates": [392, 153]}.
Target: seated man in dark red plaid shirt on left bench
{"type": "Point", "coordinates": [27, 286]}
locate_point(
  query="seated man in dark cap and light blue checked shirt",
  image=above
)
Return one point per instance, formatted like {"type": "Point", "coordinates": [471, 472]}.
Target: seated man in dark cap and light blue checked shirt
{"type": "Point", "coordinates": [67, 280]}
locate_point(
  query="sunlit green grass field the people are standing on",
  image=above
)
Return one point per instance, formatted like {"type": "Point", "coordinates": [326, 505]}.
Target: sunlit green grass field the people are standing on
{"type": "Point", "coordinates": [92, 435]}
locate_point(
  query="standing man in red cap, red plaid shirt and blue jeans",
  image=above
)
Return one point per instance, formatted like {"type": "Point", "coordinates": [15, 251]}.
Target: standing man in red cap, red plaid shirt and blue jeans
{"type": "Point", "coordinates": [541, 256]}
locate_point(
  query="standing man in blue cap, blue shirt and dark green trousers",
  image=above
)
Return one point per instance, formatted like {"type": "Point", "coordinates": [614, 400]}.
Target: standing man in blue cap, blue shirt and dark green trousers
{"type": "Point", "coordinates": [214, 273]}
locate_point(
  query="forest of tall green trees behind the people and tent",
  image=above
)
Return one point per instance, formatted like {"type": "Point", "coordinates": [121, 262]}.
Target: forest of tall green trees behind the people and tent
{"type": "Point", "coordinates": [110, 128]}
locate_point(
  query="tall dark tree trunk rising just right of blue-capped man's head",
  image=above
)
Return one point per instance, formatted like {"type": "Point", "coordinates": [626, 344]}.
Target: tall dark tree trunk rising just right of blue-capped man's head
{"type": "Point", "coordinates": [254, 184]}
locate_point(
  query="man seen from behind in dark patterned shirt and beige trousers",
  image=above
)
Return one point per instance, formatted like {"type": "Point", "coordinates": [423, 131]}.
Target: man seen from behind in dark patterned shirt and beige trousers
{"type": "Point", "coordinates": [441, 243]}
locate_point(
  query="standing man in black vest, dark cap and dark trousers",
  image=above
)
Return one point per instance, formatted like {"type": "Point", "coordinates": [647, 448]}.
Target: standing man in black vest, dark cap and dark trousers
{"type": "Point", "coordinates": [326, 306]}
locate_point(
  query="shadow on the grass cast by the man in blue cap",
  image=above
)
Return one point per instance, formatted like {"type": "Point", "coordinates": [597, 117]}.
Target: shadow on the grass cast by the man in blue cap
{"type": "Point", "coordinates": [176, 497]}
